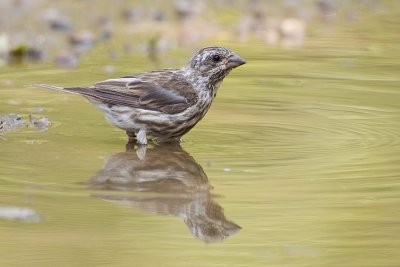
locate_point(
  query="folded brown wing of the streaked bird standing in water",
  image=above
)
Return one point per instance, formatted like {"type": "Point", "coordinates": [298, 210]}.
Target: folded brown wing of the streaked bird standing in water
{"type": "Point", "coordinates": [164, 91]}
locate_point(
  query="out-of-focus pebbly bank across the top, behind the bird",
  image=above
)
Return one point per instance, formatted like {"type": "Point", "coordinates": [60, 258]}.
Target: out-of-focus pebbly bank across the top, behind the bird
{"type": "Point", "coordinates": [65, 32]}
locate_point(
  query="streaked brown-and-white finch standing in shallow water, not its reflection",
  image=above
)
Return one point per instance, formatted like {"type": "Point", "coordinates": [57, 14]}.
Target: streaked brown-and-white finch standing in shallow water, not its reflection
{"type": "Point", "coordinates": [161, 105]}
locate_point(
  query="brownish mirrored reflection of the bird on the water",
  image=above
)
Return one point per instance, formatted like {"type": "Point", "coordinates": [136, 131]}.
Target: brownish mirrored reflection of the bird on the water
{"type": "Point", "coordinates": [170, 182]}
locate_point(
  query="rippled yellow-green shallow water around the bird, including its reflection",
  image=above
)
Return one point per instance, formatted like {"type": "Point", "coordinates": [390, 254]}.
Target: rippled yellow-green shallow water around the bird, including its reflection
{"type": "Point", "coordinates": [296, 164]}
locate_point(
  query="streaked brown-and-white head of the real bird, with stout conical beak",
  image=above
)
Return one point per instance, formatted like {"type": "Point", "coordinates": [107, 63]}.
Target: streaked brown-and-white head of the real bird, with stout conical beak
{"type": "Point", "coordinates": [215, 62]}
